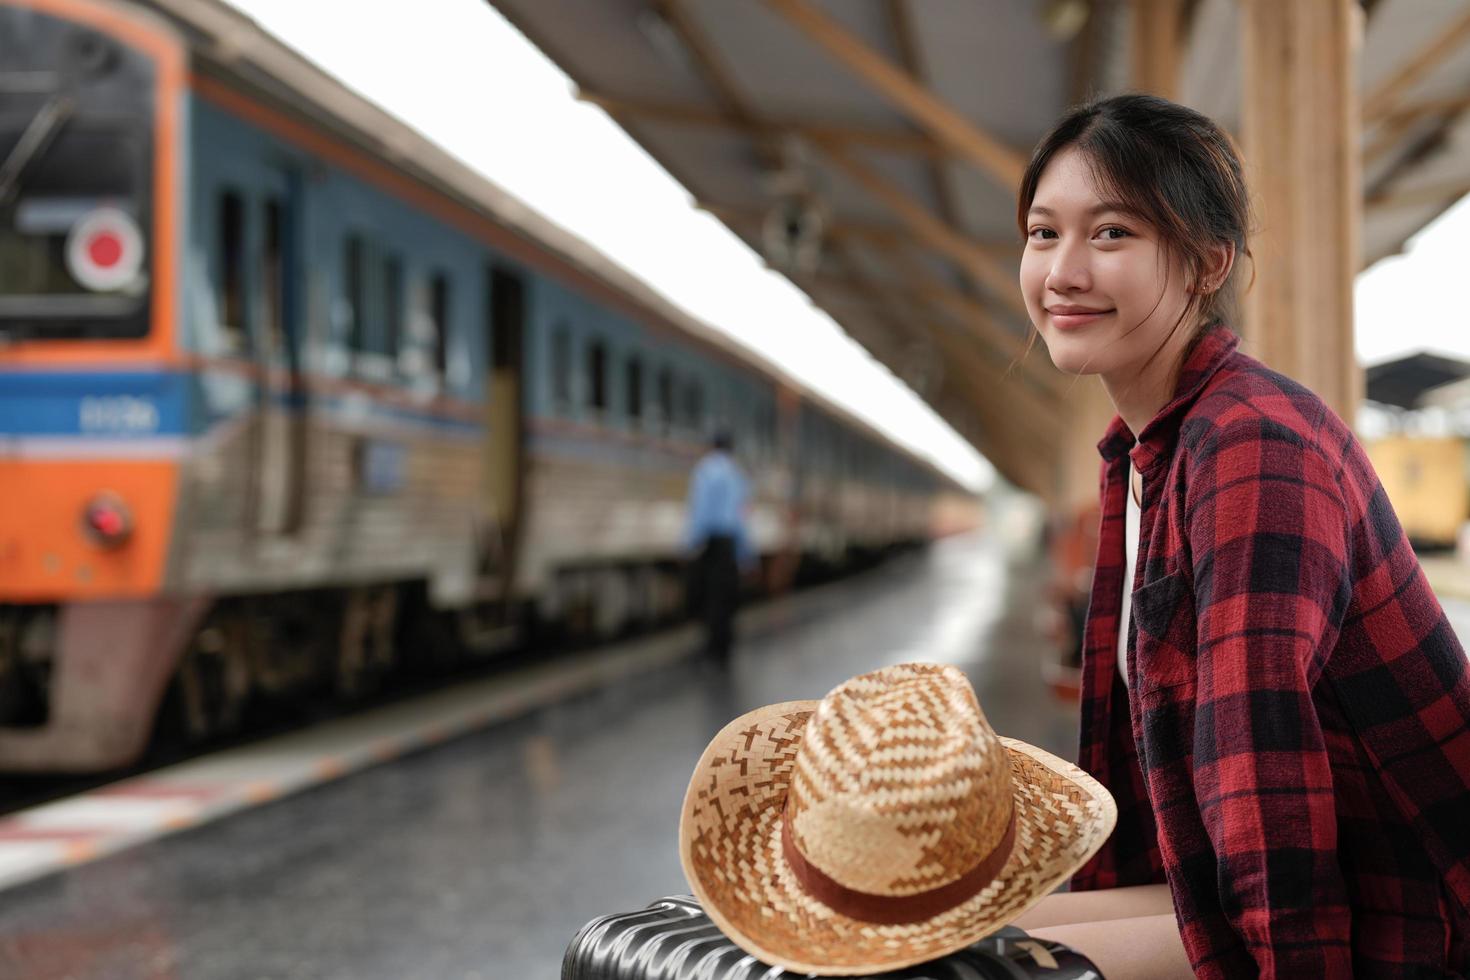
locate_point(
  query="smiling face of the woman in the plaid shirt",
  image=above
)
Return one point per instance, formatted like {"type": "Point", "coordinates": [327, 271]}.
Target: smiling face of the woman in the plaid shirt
{"type": "Point", "coordinates": [1094, 278]}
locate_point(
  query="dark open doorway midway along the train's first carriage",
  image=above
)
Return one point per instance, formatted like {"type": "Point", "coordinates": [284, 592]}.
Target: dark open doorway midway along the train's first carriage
{"type": "Point", "coordinates": [506, 303]}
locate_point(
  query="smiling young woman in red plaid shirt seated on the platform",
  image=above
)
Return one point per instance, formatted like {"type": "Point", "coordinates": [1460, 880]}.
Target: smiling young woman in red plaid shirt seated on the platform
{"type": "Point", "coordinates": [1271, 690]}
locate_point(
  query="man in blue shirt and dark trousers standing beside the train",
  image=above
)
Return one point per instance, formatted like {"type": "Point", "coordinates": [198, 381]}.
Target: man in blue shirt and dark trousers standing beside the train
{"type": "Point", "coordinates": [721, 544]}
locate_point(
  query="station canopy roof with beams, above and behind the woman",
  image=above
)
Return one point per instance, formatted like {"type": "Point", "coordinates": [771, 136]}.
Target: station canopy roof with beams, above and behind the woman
{"type": "Point", "coordinates": [871, 149]}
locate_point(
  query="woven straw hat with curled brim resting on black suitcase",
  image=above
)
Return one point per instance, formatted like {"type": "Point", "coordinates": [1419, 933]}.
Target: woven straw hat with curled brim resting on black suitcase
{"type": "Point", "coordinates": [731, 829]}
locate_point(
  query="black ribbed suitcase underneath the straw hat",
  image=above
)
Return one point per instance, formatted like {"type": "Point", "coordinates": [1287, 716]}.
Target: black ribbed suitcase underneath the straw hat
{"type": "Point", "coordinates": [674, 940]}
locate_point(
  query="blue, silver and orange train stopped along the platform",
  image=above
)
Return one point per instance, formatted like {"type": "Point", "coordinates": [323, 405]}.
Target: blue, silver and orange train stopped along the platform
{"type": "Point", "coordinates": [289, 397]}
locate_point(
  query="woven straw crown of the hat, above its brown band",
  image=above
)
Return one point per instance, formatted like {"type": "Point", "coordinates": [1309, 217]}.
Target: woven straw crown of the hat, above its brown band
{"type": "Point", "coordinates": [897, 784]}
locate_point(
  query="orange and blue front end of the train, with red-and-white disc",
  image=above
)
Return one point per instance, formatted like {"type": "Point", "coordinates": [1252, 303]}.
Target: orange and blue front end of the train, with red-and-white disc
{"type": "Point", "coordinates": [93, 408]}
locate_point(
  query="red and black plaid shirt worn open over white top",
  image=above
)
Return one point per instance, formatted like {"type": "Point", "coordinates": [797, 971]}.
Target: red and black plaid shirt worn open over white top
{"type": "Point", "coordinates": [1294, 756]}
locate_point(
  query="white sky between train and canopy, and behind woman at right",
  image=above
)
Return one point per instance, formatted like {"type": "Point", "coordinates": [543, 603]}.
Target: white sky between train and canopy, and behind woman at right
{"type": "Point", "coordinates": [462, 76]}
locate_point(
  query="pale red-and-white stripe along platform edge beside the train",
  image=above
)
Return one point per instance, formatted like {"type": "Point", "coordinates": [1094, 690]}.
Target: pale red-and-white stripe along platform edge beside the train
{"type": "Point", "coordinates": [70, 832]}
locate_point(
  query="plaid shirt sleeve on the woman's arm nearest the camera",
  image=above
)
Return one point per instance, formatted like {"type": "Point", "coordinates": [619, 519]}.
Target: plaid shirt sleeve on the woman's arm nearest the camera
{"type": "Point", "coordinates": [1272, 577]}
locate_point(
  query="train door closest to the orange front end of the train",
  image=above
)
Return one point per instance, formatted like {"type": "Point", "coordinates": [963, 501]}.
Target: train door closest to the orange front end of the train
{"type": "Point", "coordinates": [282, 447]}
